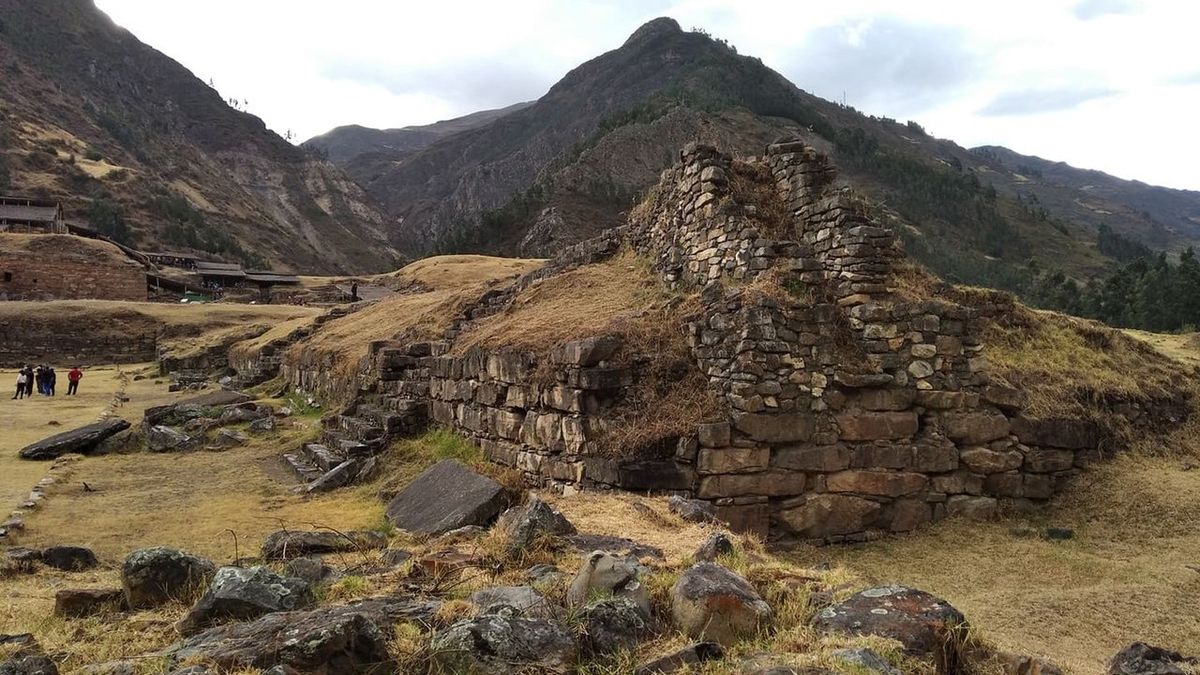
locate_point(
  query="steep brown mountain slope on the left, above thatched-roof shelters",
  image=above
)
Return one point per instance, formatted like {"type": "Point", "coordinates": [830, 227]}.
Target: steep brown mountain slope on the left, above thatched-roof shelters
{"type": "Point", "coordinates": [136, 146]}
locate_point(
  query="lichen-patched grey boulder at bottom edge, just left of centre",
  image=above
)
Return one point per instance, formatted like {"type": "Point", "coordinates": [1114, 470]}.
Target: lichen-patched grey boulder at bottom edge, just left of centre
{"type": "Point", "coordinates": [505, 643]}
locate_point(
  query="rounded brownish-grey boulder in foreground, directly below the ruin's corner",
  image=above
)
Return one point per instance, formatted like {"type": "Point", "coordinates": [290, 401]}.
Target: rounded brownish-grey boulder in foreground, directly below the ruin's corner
{"type": "Point", "coordinates": [713, 604]}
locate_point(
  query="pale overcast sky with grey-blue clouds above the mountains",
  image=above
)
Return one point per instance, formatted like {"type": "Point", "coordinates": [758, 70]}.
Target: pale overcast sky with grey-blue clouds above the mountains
{"type": "Point", "coordinates": [1108, 85]}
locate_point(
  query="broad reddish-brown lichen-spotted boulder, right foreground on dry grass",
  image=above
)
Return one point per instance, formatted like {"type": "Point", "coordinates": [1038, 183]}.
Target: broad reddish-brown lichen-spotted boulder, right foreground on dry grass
{"type": "Point", "coordinates": [923, 624]}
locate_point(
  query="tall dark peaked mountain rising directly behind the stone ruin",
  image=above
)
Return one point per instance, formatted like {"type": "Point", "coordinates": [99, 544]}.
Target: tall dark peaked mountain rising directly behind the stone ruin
{"type": "Point", "coordinates": [572, 163]}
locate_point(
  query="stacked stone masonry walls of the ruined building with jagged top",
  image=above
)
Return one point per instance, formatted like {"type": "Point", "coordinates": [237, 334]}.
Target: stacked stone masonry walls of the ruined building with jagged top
{"type": "Point", "coordinates": [851, 411]}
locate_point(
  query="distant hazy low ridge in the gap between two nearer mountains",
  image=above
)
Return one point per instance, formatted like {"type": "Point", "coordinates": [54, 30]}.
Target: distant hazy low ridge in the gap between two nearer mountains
{"type": "Point", "coordinates": [345, 144]}
